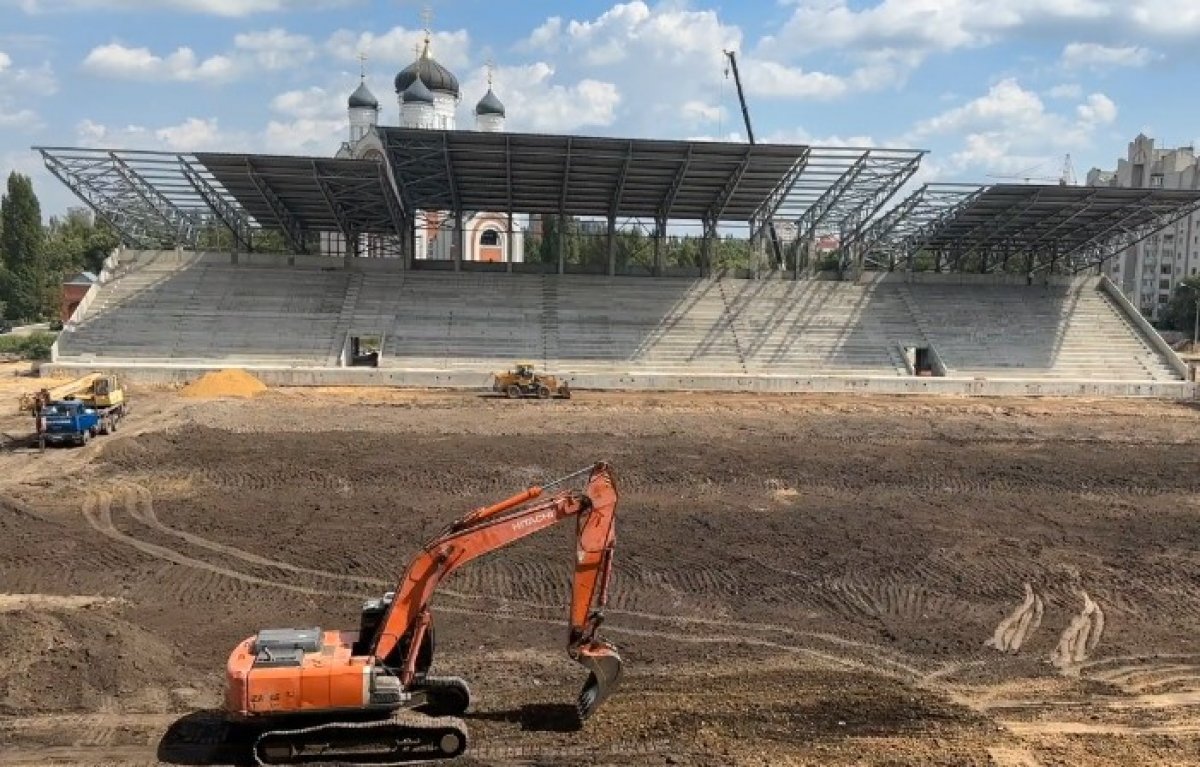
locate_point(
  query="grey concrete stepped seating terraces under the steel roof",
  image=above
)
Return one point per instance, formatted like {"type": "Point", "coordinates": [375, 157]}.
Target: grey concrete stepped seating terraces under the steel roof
{"type": "Point", "coordinates": [163, 308]}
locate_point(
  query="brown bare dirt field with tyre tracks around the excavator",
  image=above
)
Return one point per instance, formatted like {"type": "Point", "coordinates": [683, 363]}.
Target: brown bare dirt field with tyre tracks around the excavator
{"type": "Point", "coordinates": [800, 580]}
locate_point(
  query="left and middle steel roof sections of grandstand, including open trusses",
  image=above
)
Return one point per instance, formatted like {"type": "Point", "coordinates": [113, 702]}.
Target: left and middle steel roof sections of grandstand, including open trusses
{"type": "Point", "coordinates": [164, 199]}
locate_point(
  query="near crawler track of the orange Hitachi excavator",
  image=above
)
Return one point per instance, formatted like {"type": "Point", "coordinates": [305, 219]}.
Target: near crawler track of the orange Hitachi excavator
{"type": "Point", "coordinates": [405, 739]}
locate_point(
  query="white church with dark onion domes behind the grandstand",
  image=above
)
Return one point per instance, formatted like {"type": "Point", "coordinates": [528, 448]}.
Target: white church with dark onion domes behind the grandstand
{"type": "Point", "coordinates": [429, 97]}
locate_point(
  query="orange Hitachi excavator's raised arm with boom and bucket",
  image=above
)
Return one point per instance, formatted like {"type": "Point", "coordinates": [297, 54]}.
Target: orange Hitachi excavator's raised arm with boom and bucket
{"type": "Point", "coordinates": [495, 528]}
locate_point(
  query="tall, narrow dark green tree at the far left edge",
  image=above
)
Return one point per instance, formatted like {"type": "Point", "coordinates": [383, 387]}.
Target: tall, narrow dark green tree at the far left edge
{"type": "Point", "coordinates": [29, 289]}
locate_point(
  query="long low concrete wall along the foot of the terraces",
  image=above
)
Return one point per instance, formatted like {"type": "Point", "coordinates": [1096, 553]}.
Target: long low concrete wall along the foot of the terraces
{"type": "Point", "coordinates": [481, 380]}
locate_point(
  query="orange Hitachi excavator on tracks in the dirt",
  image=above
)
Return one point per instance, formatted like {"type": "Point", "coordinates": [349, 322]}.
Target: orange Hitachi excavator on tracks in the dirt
{"type": "Point", "coordinates": [368, 697]}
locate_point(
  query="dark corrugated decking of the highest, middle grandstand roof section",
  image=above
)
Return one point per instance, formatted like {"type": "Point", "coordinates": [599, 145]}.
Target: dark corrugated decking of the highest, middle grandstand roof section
{"type": "Point", "coordinates": [586, 176]}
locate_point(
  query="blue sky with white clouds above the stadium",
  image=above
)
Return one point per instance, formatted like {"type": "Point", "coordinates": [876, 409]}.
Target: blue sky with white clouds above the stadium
{"type": "Point", "coordinates": [991, 87]}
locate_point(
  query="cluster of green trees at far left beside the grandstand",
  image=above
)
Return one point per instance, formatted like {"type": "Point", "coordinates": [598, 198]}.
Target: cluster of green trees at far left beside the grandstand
{"type": "Point", "coordinates": [37, 257]}
